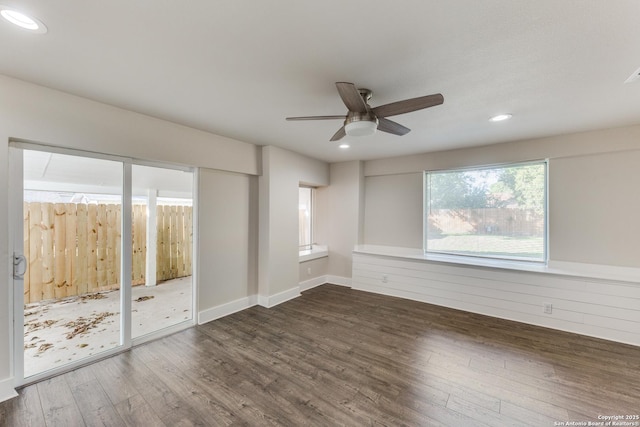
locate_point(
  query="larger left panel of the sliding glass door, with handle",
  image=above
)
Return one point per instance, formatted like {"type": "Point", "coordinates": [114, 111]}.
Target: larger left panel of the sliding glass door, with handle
{"type": "Point", "coordinates": [72, 238]}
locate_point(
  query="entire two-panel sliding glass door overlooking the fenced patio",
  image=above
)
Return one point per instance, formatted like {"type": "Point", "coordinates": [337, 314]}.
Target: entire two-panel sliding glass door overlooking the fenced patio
{"type": "Point", "coordinates": [102, 256]}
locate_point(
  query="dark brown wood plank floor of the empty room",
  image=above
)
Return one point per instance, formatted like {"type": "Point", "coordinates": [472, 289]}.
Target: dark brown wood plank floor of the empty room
{"type": "Point", "coordinates": [336, 356]}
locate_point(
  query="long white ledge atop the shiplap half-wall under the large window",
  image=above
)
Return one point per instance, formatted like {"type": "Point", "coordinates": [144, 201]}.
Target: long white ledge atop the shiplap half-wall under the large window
{"type": "Point", "coordinates": [571, 269]}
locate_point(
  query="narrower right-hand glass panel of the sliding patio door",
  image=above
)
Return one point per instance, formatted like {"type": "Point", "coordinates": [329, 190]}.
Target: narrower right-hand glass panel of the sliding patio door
{"type": "Point", "coordinates": [162, 266]}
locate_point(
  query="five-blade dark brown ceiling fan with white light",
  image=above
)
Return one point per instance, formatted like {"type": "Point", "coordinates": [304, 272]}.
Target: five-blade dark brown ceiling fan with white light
{"type": "Point", "coordinates": [362, 119]}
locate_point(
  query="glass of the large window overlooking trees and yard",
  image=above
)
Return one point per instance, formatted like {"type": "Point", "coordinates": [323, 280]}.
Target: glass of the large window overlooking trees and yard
{"type": "Point", "coordinates": [491, 212]}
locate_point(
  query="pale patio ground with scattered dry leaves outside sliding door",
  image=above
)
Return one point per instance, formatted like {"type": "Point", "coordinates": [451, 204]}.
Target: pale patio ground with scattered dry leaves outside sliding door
{"type": "Point", "coordinates": [57, 333]}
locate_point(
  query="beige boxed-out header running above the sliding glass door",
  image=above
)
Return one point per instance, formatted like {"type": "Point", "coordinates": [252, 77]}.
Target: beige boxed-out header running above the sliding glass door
{"type": "Point", "coordinates": [47, 116]}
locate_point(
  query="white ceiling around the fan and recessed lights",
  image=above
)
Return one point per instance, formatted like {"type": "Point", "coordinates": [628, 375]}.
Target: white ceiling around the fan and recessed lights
{"type": "Point", "coordinates": [238, 68]}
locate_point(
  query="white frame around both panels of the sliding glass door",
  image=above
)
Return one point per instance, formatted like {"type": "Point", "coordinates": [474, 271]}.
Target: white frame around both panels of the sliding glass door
{"type": "Point", "coordinates": [16, 224]}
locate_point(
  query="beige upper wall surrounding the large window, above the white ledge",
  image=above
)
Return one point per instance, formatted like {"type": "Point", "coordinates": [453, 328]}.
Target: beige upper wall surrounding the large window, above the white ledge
{"type": "Point", "coordinates": [593, 196]}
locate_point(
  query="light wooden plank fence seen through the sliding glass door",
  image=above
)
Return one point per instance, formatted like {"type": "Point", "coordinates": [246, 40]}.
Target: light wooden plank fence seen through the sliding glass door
{"type": "Point", "coordinates": [74, 249]}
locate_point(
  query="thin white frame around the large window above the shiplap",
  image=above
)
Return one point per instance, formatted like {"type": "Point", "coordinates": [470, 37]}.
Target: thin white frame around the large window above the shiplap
{"type": "Point", "coordinates": [473, 258]}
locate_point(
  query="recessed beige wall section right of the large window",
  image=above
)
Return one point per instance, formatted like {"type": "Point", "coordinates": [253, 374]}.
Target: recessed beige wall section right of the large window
{"type": "Point", "coordinates": [595, 209]}
